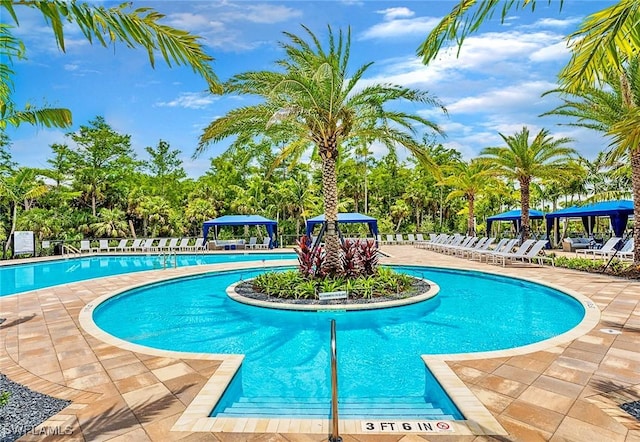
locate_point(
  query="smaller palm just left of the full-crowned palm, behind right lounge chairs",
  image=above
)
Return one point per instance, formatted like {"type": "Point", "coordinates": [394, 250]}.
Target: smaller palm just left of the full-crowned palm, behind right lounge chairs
{"type": "Point", "coordinates": [468, 180]}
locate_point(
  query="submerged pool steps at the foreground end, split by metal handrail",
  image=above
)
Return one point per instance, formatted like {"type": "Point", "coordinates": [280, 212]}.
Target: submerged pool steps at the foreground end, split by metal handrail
{"type": "Point", "coordinates": [351, 408]}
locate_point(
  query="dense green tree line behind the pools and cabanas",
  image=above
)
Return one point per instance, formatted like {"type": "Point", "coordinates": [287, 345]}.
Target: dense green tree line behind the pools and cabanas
{"type": "Point", "coordinates": [96, 187]}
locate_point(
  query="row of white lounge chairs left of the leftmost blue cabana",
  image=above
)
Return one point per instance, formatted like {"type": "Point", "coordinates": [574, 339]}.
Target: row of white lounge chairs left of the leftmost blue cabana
{"type": "Point", "coordinates": [145, 245]}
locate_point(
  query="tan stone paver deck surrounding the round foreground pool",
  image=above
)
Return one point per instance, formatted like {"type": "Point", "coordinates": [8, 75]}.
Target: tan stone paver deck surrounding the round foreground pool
{"type": "Point", "coordinates": [568, 391]}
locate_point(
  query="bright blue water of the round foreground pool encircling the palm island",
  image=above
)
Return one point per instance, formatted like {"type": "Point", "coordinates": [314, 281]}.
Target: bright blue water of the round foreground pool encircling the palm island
{"type": "Point", "coordinates": [287, 353]}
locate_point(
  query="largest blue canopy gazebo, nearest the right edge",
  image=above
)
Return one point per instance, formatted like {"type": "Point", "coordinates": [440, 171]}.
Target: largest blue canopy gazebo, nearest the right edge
{"type": "Point", "coordinates": [617, 211]}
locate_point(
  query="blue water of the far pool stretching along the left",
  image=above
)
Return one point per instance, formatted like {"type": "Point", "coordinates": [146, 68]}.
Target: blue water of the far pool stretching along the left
{"type": "Point", "coordinates": [20, 278]}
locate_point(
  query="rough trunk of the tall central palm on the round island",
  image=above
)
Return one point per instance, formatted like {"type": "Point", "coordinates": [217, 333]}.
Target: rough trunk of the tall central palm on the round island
{"type": "Point", "coordinates": [333, 262]}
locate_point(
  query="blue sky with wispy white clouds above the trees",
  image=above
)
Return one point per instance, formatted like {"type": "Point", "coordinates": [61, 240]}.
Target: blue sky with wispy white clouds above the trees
{"type": "Point", "coordinates": [492, 86]}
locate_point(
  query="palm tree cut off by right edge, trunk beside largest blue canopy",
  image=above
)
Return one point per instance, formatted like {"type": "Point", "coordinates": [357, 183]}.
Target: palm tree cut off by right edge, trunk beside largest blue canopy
{"type": "Point", "coordinates": [612, 107]}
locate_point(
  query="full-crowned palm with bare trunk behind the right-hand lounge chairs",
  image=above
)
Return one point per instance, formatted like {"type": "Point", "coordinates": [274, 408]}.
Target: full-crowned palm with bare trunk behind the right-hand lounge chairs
{"type": "Point", "coordinates": [520, 160]}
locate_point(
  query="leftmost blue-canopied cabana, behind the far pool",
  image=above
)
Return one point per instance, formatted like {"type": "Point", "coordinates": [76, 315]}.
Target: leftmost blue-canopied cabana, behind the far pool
{"type": "Point", "coordinates": [238, 220]}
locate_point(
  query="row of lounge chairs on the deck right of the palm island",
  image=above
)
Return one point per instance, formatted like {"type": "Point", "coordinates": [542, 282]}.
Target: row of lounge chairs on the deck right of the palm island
{"type": "Point", "coordinates": [506, 250]}
